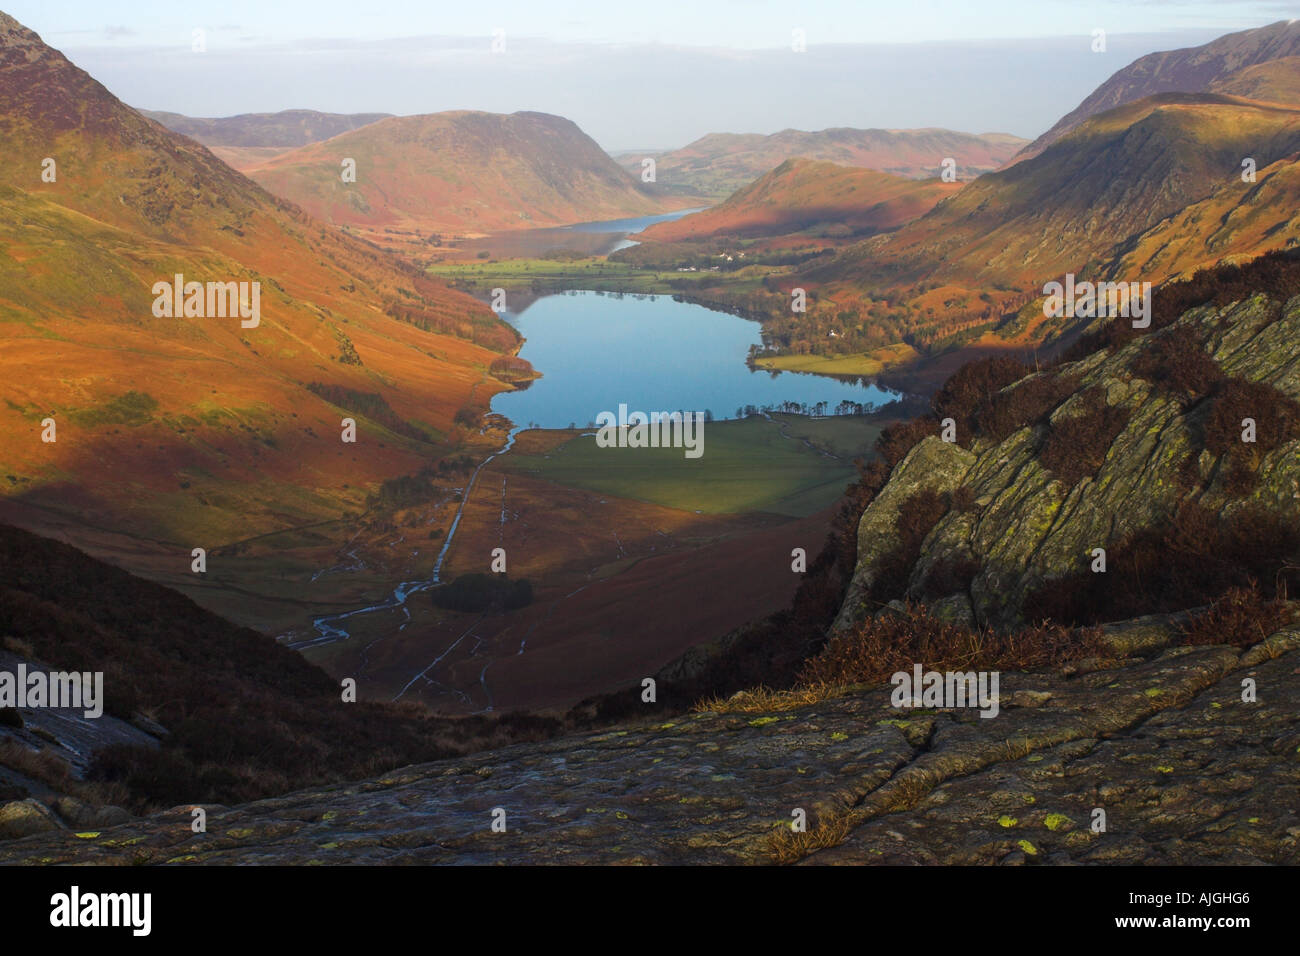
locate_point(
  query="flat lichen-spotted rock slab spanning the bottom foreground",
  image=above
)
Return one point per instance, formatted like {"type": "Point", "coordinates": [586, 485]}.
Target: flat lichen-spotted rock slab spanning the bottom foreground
{"type": "Point", "coordinates": [1185, 771]}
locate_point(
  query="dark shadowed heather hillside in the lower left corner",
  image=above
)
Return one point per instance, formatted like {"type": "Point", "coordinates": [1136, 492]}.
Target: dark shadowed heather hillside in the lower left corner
{"type": "Point", "coordinates": [220, 713]}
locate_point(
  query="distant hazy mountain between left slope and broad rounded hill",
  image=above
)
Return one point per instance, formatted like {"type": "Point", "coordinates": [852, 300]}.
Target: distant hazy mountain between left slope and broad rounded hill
{"type": "Point", "coordinates": [252, 139]}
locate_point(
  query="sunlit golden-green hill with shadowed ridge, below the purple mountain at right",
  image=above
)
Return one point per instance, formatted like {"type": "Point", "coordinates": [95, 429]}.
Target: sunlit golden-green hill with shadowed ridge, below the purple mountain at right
{"type": "Point", "coordinates": [1116, 176]}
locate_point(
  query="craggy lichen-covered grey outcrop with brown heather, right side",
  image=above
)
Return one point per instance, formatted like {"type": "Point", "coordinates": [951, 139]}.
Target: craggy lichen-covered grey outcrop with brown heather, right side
{"type": "Point", "coordinates": [1028, 527]}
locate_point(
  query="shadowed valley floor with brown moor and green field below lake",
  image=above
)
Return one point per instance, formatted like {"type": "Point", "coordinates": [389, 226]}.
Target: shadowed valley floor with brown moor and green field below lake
{"type": "Point", "coordinates": [631, 566]}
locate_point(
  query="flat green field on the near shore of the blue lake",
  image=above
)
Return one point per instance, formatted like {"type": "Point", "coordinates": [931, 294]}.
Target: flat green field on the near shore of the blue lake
{"type": "Point", "coordinates": [747, 466]}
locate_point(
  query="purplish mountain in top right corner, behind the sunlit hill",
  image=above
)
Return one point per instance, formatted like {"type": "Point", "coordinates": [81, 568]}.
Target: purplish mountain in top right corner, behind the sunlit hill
{"type": "Point", "coordinates": [1194, 70]}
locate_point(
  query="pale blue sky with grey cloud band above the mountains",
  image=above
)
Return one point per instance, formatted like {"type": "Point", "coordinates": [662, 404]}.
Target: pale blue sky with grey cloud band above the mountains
{"type": "Point", "coordinates": [635, 76]}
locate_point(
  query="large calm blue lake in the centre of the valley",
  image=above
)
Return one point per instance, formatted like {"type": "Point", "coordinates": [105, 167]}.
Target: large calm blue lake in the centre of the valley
{"type": "Point", "coordinates": [653, 354]}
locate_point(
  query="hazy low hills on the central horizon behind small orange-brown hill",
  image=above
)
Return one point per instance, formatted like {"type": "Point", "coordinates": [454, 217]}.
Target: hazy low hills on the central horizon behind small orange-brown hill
{"type": "Point", "coordinates": [721, 163]}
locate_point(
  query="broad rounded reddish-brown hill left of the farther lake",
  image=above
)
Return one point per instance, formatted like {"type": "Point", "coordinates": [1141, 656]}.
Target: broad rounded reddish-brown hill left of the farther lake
{"type": "Point", "coordinates": [461, 172]}
